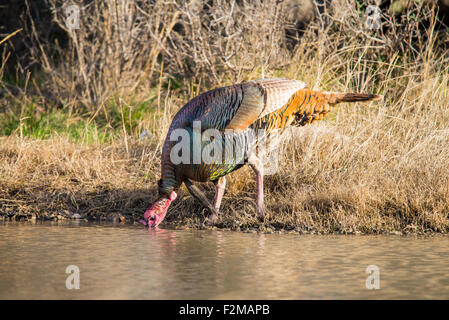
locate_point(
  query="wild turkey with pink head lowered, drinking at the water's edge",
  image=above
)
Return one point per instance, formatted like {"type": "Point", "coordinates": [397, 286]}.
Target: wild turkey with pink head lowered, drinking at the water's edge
{"type": "Point", "coordinates": [267, 105]}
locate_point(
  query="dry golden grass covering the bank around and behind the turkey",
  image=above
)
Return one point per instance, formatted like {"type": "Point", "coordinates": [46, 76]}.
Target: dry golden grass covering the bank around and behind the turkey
{"type": "Point", "coordinates": [373, 168]}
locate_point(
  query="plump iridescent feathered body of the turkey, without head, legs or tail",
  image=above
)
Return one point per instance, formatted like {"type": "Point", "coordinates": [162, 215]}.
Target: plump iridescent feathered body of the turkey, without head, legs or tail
{"type": "Point", "coordinates": [241, 109]}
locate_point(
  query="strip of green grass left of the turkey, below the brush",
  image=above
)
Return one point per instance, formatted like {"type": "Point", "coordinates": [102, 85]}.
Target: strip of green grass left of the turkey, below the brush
{"type": "Point", "coordinates": [30, 119]}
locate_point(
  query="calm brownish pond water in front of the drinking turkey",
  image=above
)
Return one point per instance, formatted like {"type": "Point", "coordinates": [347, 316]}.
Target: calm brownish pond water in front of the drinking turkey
{"type": "Point", "coordinates": [130, 262]}
